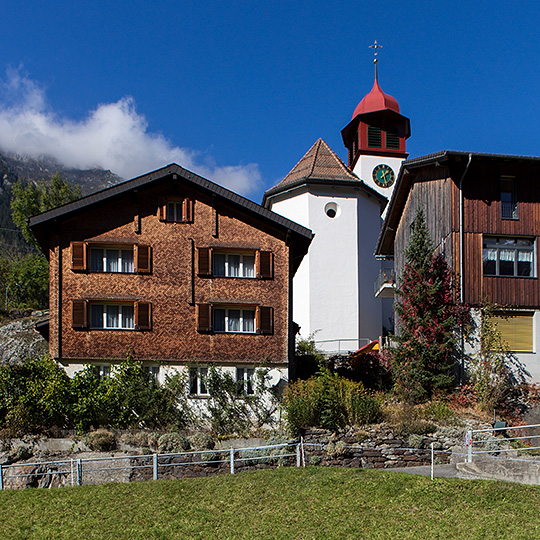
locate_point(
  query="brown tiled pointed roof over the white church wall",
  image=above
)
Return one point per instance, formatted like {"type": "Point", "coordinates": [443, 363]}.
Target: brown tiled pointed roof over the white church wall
{"type": "Point", "coordinates": [320, 165]}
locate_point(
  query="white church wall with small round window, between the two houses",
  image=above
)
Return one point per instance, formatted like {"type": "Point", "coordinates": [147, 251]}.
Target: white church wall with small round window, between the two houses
{"type": "Point", "coordinates": [333, 288]}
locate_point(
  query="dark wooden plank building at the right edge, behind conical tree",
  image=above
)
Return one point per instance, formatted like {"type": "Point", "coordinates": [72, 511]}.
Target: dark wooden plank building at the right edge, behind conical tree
{"type": "Point", "coordinates": [483, 213]}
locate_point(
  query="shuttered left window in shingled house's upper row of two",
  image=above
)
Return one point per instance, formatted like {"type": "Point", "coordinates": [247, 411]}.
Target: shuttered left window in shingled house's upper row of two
{"type": "Point", "coordinates": [93, 257]}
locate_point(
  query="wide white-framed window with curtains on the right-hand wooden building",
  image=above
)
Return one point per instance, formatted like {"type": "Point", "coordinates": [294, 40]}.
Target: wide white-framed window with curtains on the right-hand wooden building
{"type": "Point", "coordinates": [508, 257]}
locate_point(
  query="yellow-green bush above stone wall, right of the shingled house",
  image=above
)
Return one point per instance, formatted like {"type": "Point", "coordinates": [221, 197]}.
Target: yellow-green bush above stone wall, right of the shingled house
{"type": "Point", "coordinates": [328, 401]}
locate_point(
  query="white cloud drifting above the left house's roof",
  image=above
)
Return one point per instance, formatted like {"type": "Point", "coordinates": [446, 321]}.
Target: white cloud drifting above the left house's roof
{"type": "Point", "coordinates": [113, 136]}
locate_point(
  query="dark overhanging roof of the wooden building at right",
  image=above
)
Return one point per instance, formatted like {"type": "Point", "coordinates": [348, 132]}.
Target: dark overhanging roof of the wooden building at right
{"type": "Point", "coordinates": [405, 180]}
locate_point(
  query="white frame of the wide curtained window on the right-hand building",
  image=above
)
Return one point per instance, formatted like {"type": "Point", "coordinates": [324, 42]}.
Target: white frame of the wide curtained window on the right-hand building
{"type": "Point", "coordinates": [495, 246]}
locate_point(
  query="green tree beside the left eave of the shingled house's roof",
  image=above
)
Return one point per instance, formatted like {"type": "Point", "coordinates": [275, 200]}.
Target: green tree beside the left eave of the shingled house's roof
{"type": "Point", "coordinates": [30, 199]}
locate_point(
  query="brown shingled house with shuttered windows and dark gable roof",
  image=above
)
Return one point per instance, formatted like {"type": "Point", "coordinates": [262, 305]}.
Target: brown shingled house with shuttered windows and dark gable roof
{"type": "Point", "coordinates": [175, 269]}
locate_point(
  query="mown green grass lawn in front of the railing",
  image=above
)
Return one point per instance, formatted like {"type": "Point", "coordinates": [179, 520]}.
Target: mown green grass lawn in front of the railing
{"type": "Point", "coordinates": [284, 503]}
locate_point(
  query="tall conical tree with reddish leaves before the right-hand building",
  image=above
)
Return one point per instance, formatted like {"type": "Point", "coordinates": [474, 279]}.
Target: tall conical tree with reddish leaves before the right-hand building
{"type": "Point", "coordinates": [425, 358]}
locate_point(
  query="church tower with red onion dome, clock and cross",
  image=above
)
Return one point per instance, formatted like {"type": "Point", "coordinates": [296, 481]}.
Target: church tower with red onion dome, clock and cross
{"type": "Point", "coordinates": [376, 138]}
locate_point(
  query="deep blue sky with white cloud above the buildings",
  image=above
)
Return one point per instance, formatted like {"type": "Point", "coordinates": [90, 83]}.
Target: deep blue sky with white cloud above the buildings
{"type": "Point", "coordinates": [238, 91]}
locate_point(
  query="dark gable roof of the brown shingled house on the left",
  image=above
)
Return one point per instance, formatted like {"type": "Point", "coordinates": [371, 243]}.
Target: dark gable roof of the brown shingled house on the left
{"type": "Point", "coordinates": [40, 223]}
